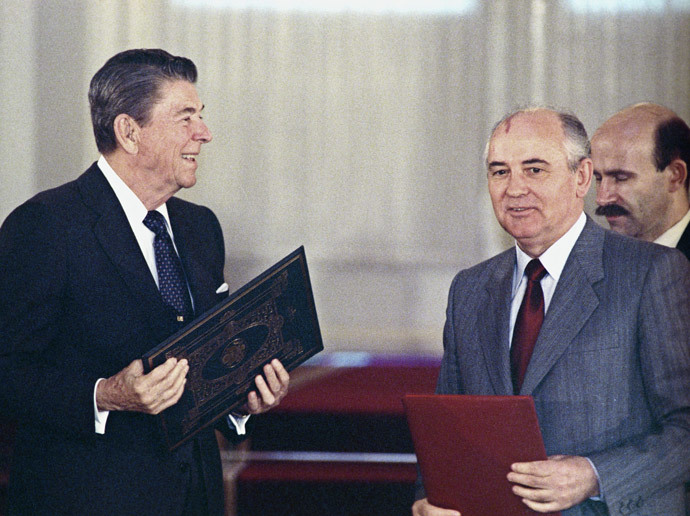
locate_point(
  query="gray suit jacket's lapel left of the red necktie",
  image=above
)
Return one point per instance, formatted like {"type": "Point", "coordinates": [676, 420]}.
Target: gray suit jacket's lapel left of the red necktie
{"type": "Point", "coordinates": [494, 323]}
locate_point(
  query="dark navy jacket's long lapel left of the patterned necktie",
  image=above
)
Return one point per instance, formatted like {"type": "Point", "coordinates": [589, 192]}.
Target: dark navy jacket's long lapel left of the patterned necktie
{"type": "Point", "coordinates": [111, 229]}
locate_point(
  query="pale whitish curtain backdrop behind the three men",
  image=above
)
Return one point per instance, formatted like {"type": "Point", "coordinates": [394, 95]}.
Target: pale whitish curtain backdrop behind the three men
{"type": "Point", "coordinates": [358, 135]}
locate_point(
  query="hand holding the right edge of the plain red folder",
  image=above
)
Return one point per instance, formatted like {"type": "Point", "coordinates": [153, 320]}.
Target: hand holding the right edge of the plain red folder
{"type": "Point", "coordinates": [555, 484]}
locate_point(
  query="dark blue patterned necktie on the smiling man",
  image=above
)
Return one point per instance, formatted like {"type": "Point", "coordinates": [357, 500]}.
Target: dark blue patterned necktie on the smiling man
{"type": "Point", "coordinates": [171, 279]}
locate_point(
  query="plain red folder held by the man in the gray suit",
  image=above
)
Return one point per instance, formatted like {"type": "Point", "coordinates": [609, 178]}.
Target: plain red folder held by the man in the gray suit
{"type": "Point", "coordinates": [465, 446]}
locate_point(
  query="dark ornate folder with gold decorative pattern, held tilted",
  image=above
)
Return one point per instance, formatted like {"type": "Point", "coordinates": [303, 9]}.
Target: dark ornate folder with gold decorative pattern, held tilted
{"type": "Point", "coordinates": [273, 316]}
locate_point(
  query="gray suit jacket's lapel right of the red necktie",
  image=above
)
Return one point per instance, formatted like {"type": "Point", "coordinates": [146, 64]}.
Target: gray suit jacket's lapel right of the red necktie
{"type": "Point", "coordinates": [573, 302]}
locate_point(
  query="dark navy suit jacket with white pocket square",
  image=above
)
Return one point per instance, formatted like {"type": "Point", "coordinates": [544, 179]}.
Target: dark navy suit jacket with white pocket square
{"type": "Point", "coordinates": [78, 303]}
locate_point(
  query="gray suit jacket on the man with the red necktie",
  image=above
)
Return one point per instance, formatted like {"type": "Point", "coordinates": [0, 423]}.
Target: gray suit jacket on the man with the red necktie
{"type": "Point", "coordinates": [610, 373]}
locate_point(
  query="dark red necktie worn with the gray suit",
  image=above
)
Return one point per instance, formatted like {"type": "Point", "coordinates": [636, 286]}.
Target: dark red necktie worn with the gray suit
{"type": "Point", "coordinates": [527, 324]}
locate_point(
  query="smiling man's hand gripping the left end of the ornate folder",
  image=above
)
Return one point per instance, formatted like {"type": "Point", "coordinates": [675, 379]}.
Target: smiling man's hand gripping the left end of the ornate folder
{"type": "Point", "coordinates": [132, 390]}
